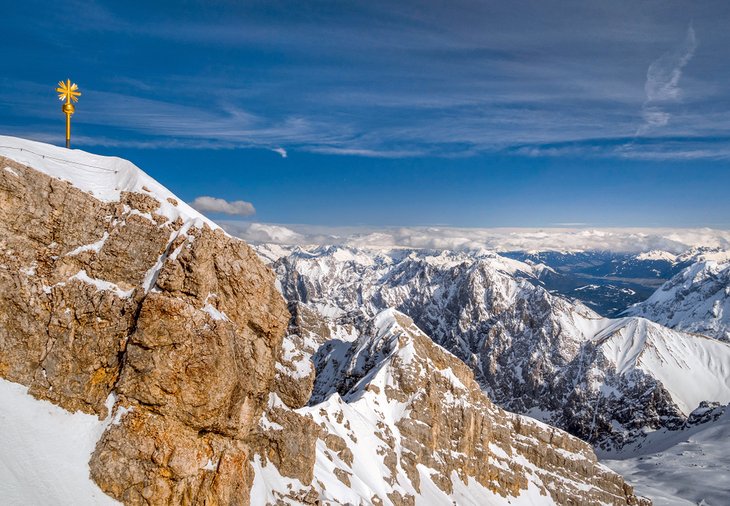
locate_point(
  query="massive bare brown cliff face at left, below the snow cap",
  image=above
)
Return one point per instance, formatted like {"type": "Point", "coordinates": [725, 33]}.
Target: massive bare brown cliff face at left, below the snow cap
{"type": "Point", "coordinates": [180, 323]}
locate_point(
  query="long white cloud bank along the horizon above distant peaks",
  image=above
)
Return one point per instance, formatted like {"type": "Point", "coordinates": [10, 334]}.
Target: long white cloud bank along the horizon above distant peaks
{"type": "Point", "coordinates": [634, 240]}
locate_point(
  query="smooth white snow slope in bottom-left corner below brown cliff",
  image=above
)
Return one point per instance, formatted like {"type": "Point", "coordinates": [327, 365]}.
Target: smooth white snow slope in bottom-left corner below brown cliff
{"type": "Point", "coordinates": [46, 452]}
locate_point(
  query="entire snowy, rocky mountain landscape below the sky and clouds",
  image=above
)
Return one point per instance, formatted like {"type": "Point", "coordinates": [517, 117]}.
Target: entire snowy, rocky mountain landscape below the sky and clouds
{"type": "Point", "coordinates": [397, 376]}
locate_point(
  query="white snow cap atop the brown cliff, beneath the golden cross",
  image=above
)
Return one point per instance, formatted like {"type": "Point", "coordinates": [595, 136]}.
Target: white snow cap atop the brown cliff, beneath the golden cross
{"type": "Point", "coordinates": [105, 177]}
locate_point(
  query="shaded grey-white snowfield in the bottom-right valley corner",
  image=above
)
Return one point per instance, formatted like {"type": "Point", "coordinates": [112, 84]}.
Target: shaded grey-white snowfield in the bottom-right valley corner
{"type": "Point", "coordinates": [678, 468]}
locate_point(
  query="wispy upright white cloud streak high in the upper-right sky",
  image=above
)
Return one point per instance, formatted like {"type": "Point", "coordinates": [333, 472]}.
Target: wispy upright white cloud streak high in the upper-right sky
{"type": "Point", "coordinates": [662, 83]}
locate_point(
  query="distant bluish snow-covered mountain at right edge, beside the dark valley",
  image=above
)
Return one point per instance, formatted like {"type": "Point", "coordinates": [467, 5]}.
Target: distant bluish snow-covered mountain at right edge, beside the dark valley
{"type": "Point", "coordinates": [695, 300]}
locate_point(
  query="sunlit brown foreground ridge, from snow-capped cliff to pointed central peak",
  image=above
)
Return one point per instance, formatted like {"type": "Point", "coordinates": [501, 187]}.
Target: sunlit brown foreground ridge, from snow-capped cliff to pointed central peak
{"type": "Point", "coordinates": [127, 305]}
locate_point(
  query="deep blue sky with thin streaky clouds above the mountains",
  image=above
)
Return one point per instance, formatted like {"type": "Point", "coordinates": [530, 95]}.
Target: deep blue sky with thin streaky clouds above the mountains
{"type": "Point", "coordinates": [461, 113]}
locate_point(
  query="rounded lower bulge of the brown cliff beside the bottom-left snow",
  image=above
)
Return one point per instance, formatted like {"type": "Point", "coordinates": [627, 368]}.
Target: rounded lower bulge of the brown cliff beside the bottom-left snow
{"type": "Point", "coordinates": [153, 459]}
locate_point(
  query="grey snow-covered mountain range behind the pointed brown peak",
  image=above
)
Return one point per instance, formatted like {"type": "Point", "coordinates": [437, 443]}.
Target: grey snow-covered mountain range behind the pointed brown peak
{"type": "Point", "coordinates": [606, 381]}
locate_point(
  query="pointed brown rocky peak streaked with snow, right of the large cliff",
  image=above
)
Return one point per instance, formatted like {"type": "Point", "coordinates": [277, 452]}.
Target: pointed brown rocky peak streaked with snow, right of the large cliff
{"type": "Point", "coordinates": [403, 405]}
